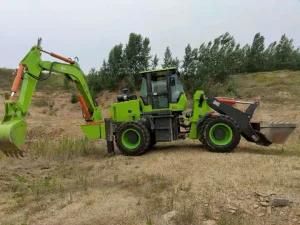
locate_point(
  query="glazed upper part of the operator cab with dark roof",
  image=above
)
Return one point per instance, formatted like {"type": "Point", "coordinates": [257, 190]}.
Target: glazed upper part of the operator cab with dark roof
{"type": "Point", "coordinates": [161, 88]}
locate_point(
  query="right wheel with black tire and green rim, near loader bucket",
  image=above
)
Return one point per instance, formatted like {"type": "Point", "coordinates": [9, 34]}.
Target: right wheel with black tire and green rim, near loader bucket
{"type": "Point", "coordinates": [222, 143]}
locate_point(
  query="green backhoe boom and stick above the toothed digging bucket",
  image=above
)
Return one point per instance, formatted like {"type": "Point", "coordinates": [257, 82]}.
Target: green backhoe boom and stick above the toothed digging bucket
{"type": "Point", "coordinates": [33, 66]}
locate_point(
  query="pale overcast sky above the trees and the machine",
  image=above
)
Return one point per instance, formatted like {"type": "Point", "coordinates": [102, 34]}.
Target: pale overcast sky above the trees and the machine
{"type": "Point", "coordinates": [88, 29]}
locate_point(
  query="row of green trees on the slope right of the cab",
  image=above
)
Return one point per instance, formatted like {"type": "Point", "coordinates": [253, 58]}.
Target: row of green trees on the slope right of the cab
{"type": "Point", "coordinates": [209, 66]}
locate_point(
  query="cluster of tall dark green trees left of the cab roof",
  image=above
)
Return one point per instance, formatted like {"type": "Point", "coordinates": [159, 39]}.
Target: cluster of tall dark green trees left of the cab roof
{"type": "Point", "coordinates": [124, 64]}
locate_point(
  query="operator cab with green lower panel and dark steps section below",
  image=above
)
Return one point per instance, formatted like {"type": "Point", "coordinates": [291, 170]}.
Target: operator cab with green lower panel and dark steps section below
{"type": "Point", "coordinates": [163, 101]}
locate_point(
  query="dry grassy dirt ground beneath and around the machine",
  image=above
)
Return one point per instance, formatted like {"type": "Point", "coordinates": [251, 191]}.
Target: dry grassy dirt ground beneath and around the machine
{"type": "Point", "coordinates": [66, 180]}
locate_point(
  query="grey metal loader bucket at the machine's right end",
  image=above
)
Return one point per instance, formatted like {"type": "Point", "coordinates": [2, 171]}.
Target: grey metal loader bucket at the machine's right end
{"type": "Point", "coordinates": [277, 133]}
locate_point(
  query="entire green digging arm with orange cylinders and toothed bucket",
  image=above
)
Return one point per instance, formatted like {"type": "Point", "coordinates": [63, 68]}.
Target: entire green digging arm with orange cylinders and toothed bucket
{"type": "Point", "coordinates": [13, 125]}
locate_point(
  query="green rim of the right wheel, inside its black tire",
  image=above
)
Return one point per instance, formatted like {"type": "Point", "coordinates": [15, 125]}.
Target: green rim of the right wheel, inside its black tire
{"type": "Point", "coordinates": [223, 139]}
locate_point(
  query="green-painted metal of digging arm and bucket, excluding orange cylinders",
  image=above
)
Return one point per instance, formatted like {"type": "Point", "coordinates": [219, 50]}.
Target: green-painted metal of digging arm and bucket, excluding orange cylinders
{"type": "Point", "coordinates": [13, 125]}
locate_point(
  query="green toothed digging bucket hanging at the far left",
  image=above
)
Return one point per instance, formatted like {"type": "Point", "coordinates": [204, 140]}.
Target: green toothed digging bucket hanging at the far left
{"type": "Point", "coordinates": [12, 137]}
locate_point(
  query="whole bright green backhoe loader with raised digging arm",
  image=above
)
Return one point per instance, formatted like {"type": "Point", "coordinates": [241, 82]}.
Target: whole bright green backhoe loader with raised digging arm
{"type": "Point", "coordinates": [159, 114]}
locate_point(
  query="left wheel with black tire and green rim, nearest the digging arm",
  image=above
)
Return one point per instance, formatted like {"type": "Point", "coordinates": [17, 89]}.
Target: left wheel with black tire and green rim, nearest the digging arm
{"type": "Point", "coordinates": [135, 134]}
